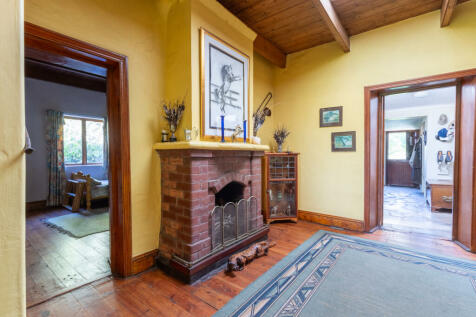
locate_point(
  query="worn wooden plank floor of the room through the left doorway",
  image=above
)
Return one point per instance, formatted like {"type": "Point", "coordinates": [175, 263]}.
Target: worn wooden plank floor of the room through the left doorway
{"type": "Point", "coordinates": [56, 262]}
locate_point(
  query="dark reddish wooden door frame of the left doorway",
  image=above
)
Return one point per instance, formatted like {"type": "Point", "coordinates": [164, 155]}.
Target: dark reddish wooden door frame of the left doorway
{"type": "Point", "coordinates": [57, 49]}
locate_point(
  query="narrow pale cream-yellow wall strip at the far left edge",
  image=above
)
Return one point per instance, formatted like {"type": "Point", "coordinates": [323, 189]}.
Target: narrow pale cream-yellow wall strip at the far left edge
{"type": "Point", "coordinates": [12, 162]}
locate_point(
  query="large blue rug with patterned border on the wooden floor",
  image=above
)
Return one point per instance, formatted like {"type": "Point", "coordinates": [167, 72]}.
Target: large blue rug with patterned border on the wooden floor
{"type": "Point", "coordinates": [338, 275]}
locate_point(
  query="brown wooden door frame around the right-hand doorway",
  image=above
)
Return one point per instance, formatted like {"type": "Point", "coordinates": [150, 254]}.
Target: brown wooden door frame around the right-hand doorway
{"type": "Point", "coordinates": [374, 151]}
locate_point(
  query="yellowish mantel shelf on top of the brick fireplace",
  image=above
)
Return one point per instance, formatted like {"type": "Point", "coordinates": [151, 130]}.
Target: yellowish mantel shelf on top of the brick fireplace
{"type": "Point", "coordinates": [207, 145]}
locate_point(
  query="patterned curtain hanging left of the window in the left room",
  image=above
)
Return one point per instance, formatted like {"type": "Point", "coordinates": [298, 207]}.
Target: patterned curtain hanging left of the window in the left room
{"type": "Point", "coordinates": [55, 147]}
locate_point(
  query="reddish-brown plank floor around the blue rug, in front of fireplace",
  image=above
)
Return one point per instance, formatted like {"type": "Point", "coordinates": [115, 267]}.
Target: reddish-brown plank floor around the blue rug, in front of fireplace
{"type": "Point", "coordinates": [153, 293]}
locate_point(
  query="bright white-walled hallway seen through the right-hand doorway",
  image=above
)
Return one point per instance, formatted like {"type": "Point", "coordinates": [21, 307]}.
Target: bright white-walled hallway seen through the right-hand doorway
{"type": "Point", "coordinates": [418, 161]}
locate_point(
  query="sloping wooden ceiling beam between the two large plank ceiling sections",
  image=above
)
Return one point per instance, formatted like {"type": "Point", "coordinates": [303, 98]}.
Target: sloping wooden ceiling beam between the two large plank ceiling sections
{"type": "Point", "coordinates": [329, 15]}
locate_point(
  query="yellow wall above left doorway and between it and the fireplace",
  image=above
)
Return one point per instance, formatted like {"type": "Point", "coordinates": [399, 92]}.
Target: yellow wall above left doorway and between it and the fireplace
{"type": "Point", "coordinates": [137, 30]}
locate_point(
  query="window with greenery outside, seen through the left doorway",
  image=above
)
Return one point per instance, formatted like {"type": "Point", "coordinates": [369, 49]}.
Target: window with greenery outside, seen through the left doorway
{"type": "Point", "coordinates": [83, 141]}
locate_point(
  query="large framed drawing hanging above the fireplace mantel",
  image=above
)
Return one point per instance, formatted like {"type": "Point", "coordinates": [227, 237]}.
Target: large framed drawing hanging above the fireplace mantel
{"type": "Point", "coordinates": [224, 88]}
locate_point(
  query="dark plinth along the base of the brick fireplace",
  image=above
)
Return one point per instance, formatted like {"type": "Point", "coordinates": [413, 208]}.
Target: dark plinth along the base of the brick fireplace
{"type": "Point", "coordinates": [209, 264]}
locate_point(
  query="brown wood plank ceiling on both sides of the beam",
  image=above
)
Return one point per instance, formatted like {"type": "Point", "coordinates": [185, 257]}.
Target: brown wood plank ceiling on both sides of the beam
{"type": "Point", "coordinates": [294, 25]}
